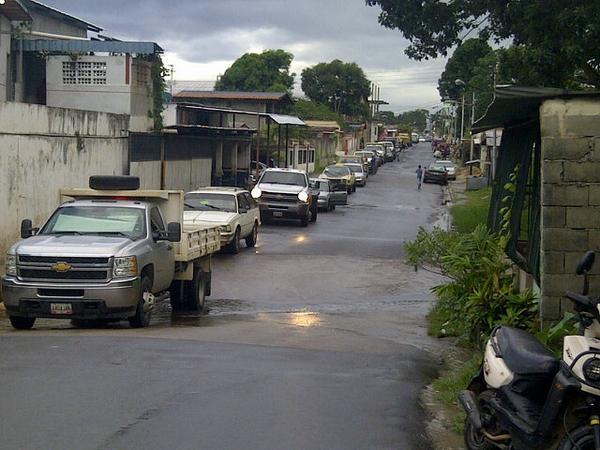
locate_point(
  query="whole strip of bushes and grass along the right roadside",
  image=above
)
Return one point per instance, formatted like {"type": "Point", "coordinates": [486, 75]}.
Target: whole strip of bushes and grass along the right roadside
{"type": "Point", "coordinates": [478, 293]}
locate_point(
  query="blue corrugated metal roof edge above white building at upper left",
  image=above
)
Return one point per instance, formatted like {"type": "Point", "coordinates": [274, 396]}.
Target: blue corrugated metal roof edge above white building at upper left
{"type": "Point", "coordinates": [79, 46]}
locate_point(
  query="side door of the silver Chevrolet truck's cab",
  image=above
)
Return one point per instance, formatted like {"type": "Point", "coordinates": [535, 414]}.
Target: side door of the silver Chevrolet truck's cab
{"type": "Point", "coordinates": [163, 253]}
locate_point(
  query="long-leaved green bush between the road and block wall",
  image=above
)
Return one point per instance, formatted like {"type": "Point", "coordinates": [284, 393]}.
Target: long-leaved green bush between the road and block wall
{"type": "Point", "coordinates": [480, 293]}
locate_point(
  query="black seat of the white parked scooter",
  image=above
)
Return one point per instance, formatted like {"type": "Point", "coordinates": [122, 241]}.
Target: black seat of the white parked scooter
{"type": "Point", "coordinates": [524, 354]}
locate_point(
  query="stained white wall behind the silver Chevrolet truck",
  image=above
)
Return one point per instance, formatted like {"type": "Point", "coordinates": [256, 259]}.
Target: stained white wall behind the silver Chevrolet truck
{"type": "Point", "coordinates": [40, 152]}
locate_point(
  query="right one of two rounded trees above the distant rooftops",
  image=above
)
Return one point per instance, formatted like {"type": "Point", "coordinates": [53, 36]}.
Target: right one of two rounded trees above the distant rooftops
{"type": "Point", "coordinates": [342, 86]}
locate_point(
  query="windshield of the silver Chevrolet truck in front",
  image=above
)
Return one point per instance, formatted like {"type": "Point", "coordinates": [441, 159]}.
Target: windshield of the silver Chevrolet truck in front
{"type": "Point", "coordinates": [100, 220]}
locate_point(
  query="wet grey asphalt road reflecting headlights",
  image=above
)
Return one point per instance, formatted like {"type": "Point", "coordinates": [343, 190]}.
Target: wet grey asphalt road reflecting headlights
{"type": "Point", "coordinates": [315, 339]}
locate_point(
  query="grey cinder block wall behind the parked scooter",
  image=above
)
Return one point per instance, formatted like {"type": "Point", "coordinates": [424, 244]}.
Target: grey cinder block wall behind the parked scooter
{"type": "Point", "coordinates": [570, 131]}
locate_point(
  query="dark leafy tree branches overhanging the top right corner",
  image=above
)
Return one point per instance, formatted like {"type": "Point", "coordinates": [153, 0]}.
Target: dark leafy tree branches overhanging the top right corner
{"type": "Point", "coordinates": [562, 34]}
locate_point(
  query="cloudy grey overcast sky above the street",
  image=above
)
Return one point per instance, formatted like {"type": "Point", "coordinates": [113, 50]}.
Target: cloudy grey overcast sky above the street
{"type": "Point", "coordinates": [202, 38]}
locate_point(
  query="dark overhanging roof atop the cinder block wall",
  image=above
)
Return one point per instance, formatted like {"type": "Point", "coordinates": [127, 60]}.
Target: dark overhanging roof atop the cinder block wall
{"type": "Point", "coordinates": [513, 105]}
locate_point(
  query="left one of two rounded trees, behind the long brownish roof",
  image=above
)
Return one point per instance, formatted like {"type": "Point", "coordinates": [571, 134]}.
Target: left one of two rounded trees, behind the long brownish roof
{"type": "Point", "coordinates": [268, 71]}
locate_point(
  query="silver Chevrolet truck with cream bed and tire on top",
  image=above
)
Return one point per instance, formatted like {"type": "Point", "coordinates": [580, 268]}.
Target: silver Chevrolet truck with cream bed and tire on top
{"type": "Point", "coordinates": [108, 252]}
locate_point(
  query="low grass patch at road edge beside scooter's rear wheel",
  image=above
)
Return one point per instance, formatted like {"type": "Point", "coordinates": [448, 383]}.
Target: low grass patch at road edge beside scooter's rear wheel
{"type": "Point", "coordinates": [447, 387]}
